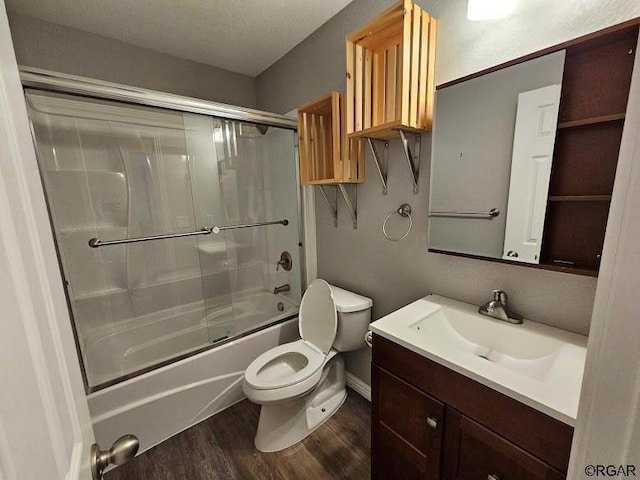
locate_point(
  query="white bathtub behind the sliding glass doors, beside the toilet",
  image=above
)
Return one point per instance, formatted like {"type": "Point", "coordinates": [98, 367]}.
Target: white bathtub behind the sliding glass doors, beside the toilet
{"type": "Point", "coordinates": [164, 401]}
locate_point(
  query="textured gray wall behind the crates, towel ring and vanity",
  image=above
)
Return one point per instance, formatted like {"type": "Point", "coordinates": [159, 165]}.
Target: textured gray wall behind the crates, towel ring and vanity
{"type": "Point", "coordinates": [394, 274]}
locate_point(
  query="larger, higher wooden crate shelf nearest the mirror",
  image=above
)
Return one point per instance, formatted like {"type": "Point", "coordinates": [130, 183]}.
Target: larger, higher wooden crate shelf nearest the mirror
{"type": "Point", "coordinates": [390, 65]}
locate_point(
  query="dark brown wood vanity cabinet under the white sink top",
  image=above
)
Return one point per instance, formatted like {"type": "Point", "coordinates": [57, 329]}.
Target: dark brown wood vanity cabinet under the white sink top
{"type": "Point", "coordinates": [429, 422]}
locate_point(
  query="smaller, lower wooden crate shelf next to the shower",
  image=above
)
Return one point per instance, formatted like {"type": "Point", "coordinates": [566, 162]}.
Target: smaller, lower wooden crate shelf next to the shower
{"type": "Point", "coordinates": [326, 155]}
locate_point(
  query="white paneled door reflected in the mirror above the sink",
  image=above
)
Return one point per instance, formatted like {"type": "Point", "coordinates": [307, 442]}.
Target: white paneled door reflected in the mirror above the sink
{"type": "Point", "coordinates": [533, 140]}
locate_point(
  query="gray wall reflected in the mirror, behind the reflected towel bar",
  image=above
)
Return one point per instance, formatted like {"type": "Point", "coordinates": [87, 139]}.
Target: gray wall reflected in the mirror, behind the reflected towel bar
{"type": "Point", "coordinates": [472, 150]}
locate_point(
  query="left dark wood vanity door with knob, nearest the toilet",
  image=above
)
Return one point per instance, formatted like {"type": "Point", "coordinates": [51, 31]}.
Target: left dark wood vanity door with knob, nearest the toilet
{"type": "Point", "coordinates": [407, 430]}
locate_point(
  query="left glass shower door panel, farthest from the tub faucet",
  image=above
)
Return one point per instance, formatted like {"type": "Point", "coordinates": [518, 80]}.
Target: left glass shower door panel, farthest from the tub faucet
{"type": "Point", "coordinates": [115, 171]}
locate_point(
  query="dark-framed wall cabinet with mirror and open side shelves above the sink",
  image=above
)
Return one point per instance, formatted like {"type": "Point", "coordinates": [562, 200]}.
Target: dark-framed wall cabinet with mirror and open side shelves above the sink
{"type": "Point", "coordinates": [524, 155]}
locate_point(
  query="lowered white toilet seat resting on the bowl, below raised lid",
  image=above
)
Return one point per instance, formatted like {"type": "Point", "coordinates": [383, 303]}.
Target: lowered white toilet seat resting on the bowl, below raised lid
{"type": "Point", "coordinates": [281, 366]}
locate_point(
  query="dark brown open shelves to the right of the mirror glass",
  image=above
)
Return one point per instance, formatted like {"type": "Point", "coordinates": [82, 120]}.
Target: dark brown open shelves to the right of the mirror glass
{"type": "Point", "coordinates": [595, 91]}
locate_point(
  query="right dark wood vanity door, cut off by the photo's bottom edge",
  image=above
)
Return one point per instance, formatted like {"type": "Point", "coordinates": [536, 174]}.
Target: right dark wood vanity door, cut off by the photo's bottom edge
{"type": "Point", "coordinates": [473, 452]}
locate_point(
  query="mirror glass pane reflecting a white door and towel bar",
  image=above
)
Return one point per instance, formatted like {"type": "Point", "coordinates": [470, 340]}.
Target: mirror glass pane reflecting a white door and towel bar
{"type": "Point", "coordinates": [492, 153]}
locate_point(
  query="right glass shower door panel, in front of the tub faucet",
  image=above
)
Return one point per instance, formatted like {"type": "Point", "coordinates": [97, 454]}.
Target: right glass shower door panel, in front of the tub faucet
{"type": "Point", "coordinates": [245, 176]}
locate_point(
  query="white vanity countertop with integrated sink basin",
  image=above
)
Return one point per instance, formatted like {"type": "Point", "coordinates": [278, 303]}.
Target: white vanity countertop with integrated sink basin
{"type": "Point", "coordinates": [539, 365]}
